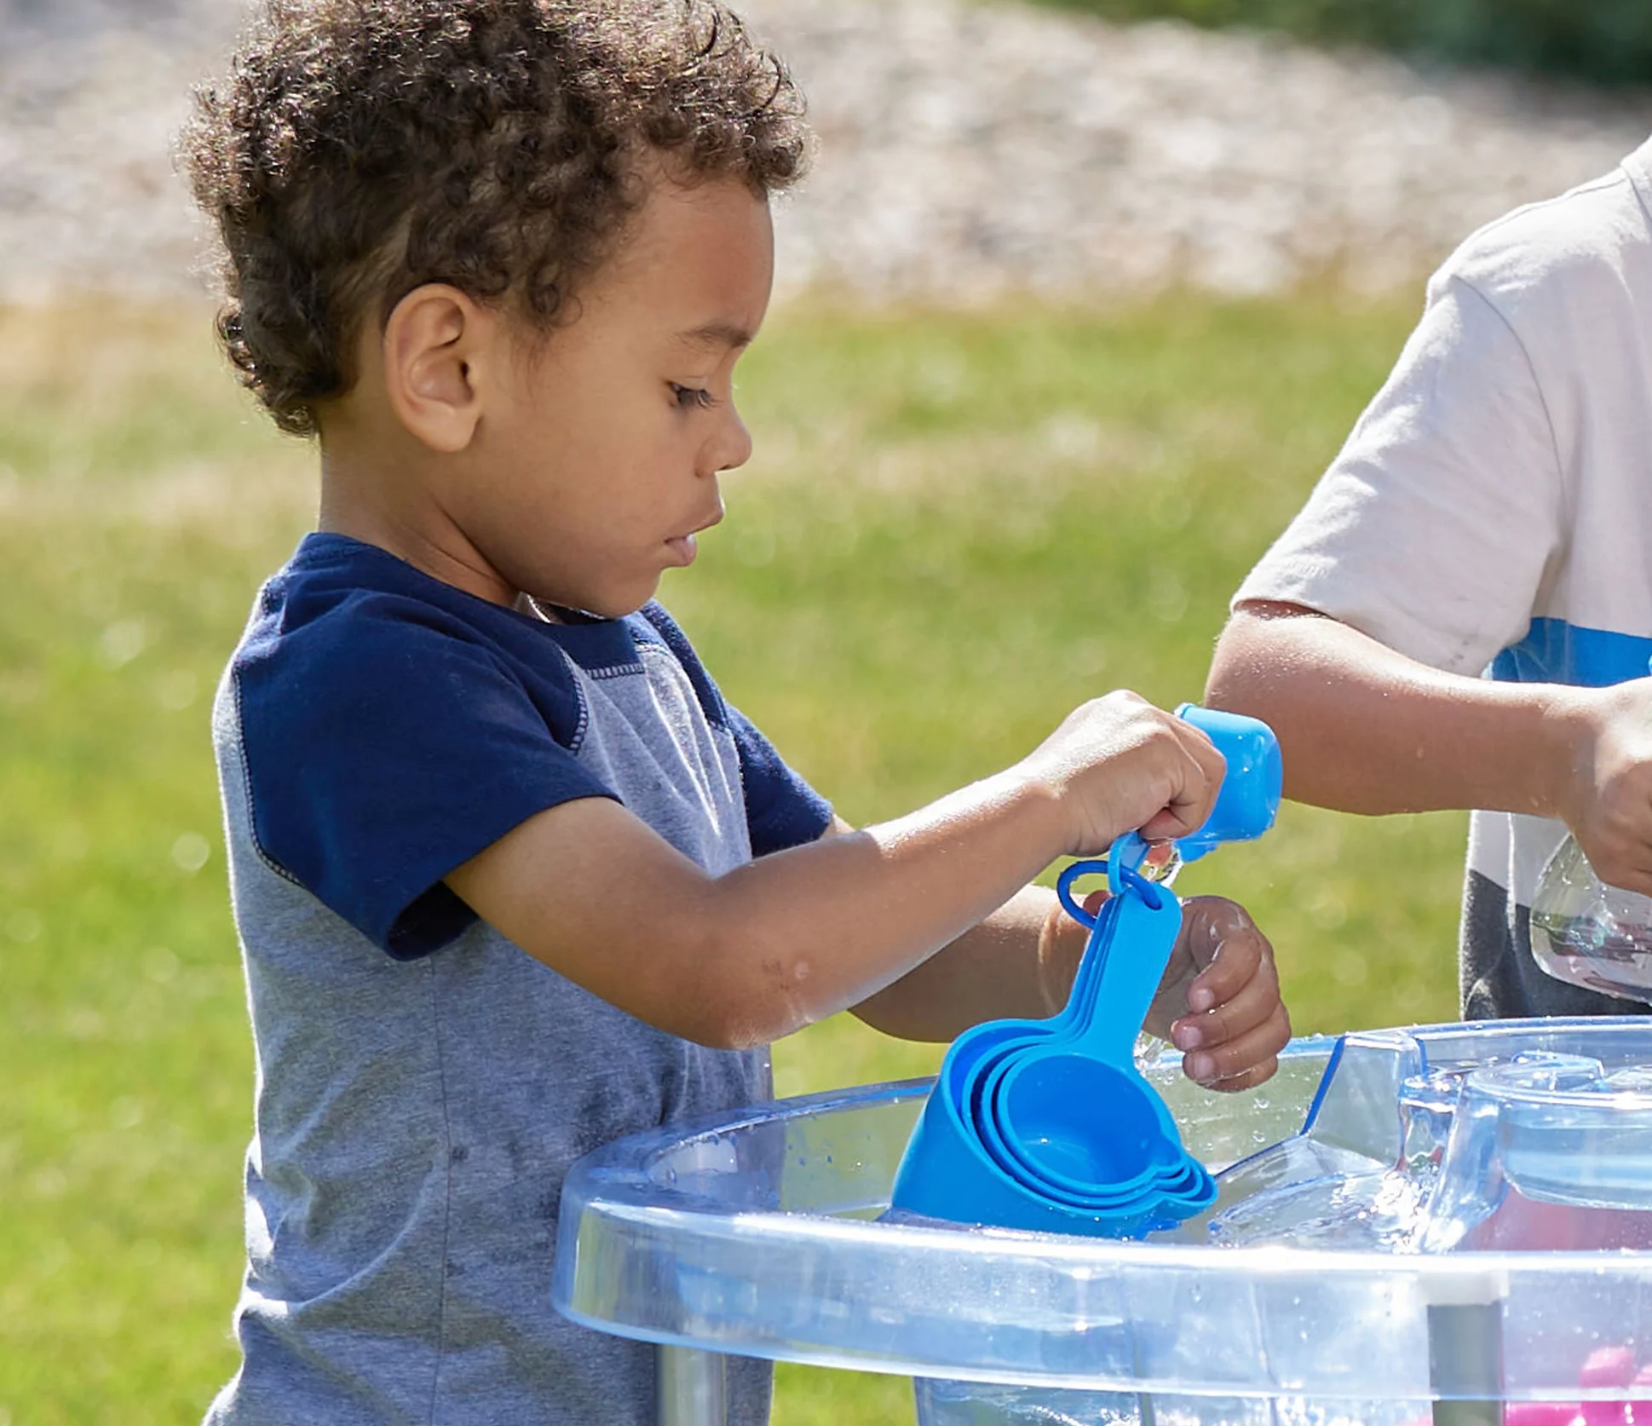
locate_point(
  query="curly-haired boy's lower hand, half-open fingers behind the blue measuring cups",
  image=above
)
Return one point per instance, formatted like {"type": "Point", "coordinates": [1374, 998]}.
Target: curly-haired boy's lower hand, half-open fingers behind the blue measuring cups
{"type": "Point", "coordinates": [1220, 997]}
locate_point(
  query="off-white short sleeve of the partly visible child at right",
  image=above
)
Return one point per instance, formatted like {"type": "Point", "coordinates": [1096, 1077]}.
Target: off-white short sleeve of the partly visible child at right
{"type": "Point", "coordinates": [1441, 518]}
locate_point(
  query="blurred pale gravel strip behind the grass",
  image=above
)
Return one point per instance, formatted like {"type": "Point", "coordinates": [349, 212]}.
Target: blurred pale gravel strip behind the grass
{"type": "Point", "coordinates": [966, 150]}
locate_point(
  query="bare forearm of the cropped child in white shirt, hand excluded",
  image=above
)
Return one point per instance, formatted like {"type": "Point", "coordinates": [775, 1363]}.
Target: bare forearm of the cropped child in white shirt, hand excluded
{"type": "Point", "coordinates": [1367, 730]}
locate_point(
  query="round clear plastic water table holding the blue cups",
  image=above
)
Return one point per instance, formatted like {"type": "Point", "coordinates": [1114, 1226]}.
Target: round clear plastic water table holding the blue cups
{"type": "Point", "coordinates": [1446, 1224]}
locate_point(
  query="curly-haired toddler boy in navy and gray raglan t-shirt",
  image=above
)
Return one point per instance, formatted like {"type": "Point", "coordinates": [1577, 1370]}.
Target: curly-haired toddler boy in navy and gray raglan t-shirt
{"type": "Point", "coordinates": [510, 873]}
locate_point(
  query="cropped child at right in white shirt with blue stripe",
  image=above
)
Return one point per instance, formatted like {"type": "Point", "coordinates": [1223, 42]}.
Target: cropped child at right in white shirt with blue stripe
{"type": "Point", "coordinates": [1493, 511]}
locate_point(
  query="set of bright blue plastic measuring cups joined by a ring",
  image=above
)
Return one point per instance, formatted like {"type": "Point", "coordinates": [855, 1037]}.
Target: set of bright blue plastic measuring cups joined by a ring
{"type": "Point", "coordinates": [1048, 1124]}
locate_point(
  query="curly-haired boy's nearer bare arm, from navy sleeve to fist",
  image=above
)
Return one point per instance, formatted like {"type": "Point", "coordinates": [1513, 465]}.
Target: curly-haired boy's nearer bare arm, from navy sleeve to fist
{"type": "Point", "coordinates": [748, 958]}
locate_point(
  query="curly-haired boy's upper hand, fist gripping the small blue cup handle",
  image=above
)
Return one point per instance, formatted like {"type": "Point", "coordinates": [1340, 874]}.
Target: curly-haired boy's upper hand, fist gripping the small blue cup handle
{"type": "Point", "coordinates": [1119, 764]}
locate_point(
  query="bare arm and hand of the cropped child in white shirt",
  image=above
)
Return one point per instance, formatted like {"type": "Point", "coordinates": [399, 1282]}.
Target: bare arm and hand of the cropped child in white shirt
{"type": "Point", "coordinates": [1367, 730]}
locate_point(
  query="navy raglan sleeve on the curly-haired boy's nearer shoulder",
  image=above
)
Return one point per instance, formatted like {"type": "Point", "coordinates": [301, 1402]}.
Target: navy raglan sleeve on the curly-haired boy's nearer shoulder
{"type": "Point", "coordinates": [387, 748]}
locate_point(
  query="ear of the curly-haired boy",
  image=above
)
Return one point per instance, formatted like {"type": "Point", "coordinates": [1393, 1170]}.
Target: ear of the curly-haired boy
{"type": "Point", "coordinates": [437, 348]}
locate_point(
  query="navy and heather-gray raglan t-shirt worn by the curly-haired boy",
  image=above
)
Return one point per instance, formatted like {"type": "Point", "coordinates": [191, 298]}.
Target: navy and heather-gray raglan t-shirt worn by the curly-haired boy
{"type": "Point", "coordinates": [424, 1085]}
